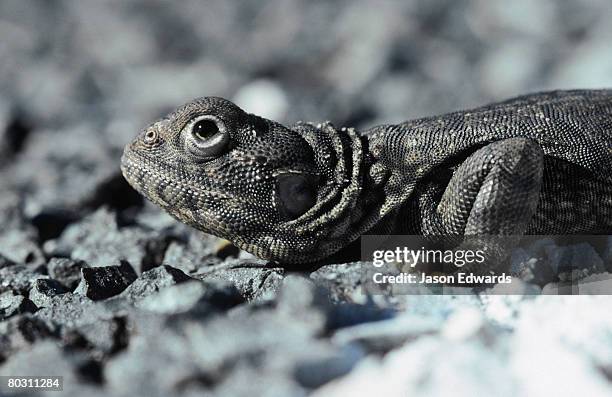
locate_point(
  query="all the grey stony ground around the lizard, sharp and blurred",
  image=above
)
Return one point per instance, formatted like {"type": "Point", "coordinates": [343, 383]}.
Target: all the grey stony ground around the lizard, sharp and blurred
{"type": "Point", "coordinates": [102, 288]}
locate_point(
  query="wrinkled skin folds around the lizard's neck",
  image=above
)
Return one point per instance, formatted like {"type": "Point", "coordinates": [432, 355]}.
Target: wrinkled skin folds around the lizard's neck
{"type": "Point", "coordinates": [349, 198]}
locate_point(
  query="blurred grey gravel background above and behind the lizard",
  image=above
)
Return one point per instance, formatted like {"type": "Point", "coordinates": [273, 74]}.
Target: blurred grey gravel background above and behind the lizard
{"type": "Point", "coordinates": [78, 79]}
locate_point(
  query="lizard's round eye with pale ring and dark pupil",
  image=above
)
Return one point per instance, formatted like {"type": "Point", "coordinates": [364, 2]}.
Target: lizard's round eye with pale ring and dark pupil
{"type": "Point", "coordinates": [206, 137]}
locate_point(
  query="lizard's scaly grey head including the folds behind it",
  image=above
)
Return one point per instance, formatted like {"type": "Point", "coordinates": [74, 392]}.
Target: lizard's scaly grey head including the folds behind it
{"type": "Point", "coordinates": [285, 194]}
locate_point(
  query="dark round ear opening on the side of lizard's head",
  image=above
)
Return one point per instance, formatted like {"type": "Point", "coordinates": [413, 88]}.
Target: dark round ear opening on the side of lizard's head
{"type": "Point", "coordinates": [295, 194]}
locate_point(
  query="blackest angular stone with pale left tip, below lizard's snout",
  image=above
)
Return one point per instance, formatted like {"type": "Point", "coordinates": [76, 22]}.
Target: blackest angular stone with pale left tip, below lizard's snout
{"type": "Point", "coordinates": [103, 282]}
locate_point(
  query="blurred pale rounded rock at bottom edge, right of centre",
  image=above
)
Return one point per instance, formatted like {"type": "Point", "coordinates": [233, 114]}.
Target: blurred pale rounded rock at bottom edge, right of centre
{"type": "Point", "coordinates": [430, 366]}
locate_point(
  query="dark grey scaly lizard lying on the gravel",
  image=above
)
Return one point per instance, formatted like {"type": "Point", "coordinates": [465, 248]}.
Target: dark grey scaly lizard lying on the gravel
{"type": "Point", "coordinates": [535, 164]}
